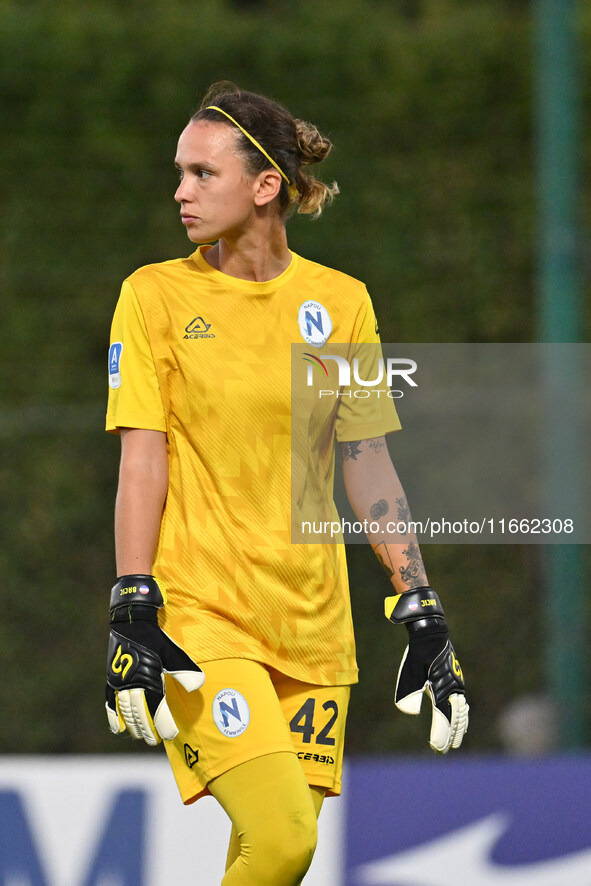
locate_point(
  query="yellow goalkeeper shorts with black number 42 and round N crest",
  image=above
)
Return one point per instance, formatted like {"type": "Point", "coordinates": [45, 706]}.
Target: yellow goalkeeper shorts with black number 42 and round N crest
{"type": "Point", "coordinates": [245, 710]}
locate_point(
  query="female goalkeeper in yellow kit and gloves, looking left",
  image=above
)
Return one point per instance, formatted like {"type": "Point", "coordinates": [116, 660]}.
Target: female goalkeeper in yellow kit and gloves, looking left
{"type": "Point", "coordinates": [228, 640]}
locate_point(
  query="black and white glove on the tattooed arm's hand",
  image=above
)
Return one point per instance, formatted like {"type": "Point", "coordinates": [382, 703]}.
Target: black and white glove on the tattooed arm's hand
{"type": "Point", "coordinates": [429, 665]}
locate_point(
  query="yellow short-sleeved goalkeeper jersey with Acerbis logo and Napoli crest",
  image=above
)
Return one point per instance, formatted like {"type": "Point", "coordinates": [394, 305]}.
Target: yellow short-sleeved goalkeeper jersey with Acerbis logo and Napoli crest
{"type": "Point", "coordinates": [210, 360]}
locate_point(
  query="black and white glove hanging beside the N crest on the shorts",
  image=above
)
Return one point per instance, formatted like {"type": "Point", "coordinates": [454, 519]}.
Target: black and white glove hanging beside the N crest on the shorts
{"type": "Point", "coordinates": [139, 656]}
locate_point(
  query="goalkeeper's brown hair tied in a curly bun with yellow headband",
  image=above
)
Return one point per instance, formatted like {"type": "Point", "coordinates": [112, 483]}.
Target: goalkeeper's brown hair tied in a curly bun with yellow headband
{"type": "Point", "coordinates": [293, 144]}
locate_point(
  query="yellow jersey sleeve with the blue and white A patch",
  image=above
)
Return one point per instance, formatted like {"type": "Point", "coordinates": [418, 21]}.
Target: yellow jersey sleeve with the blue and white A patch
{"type": "Point", "coordinates": [134, 394]}
